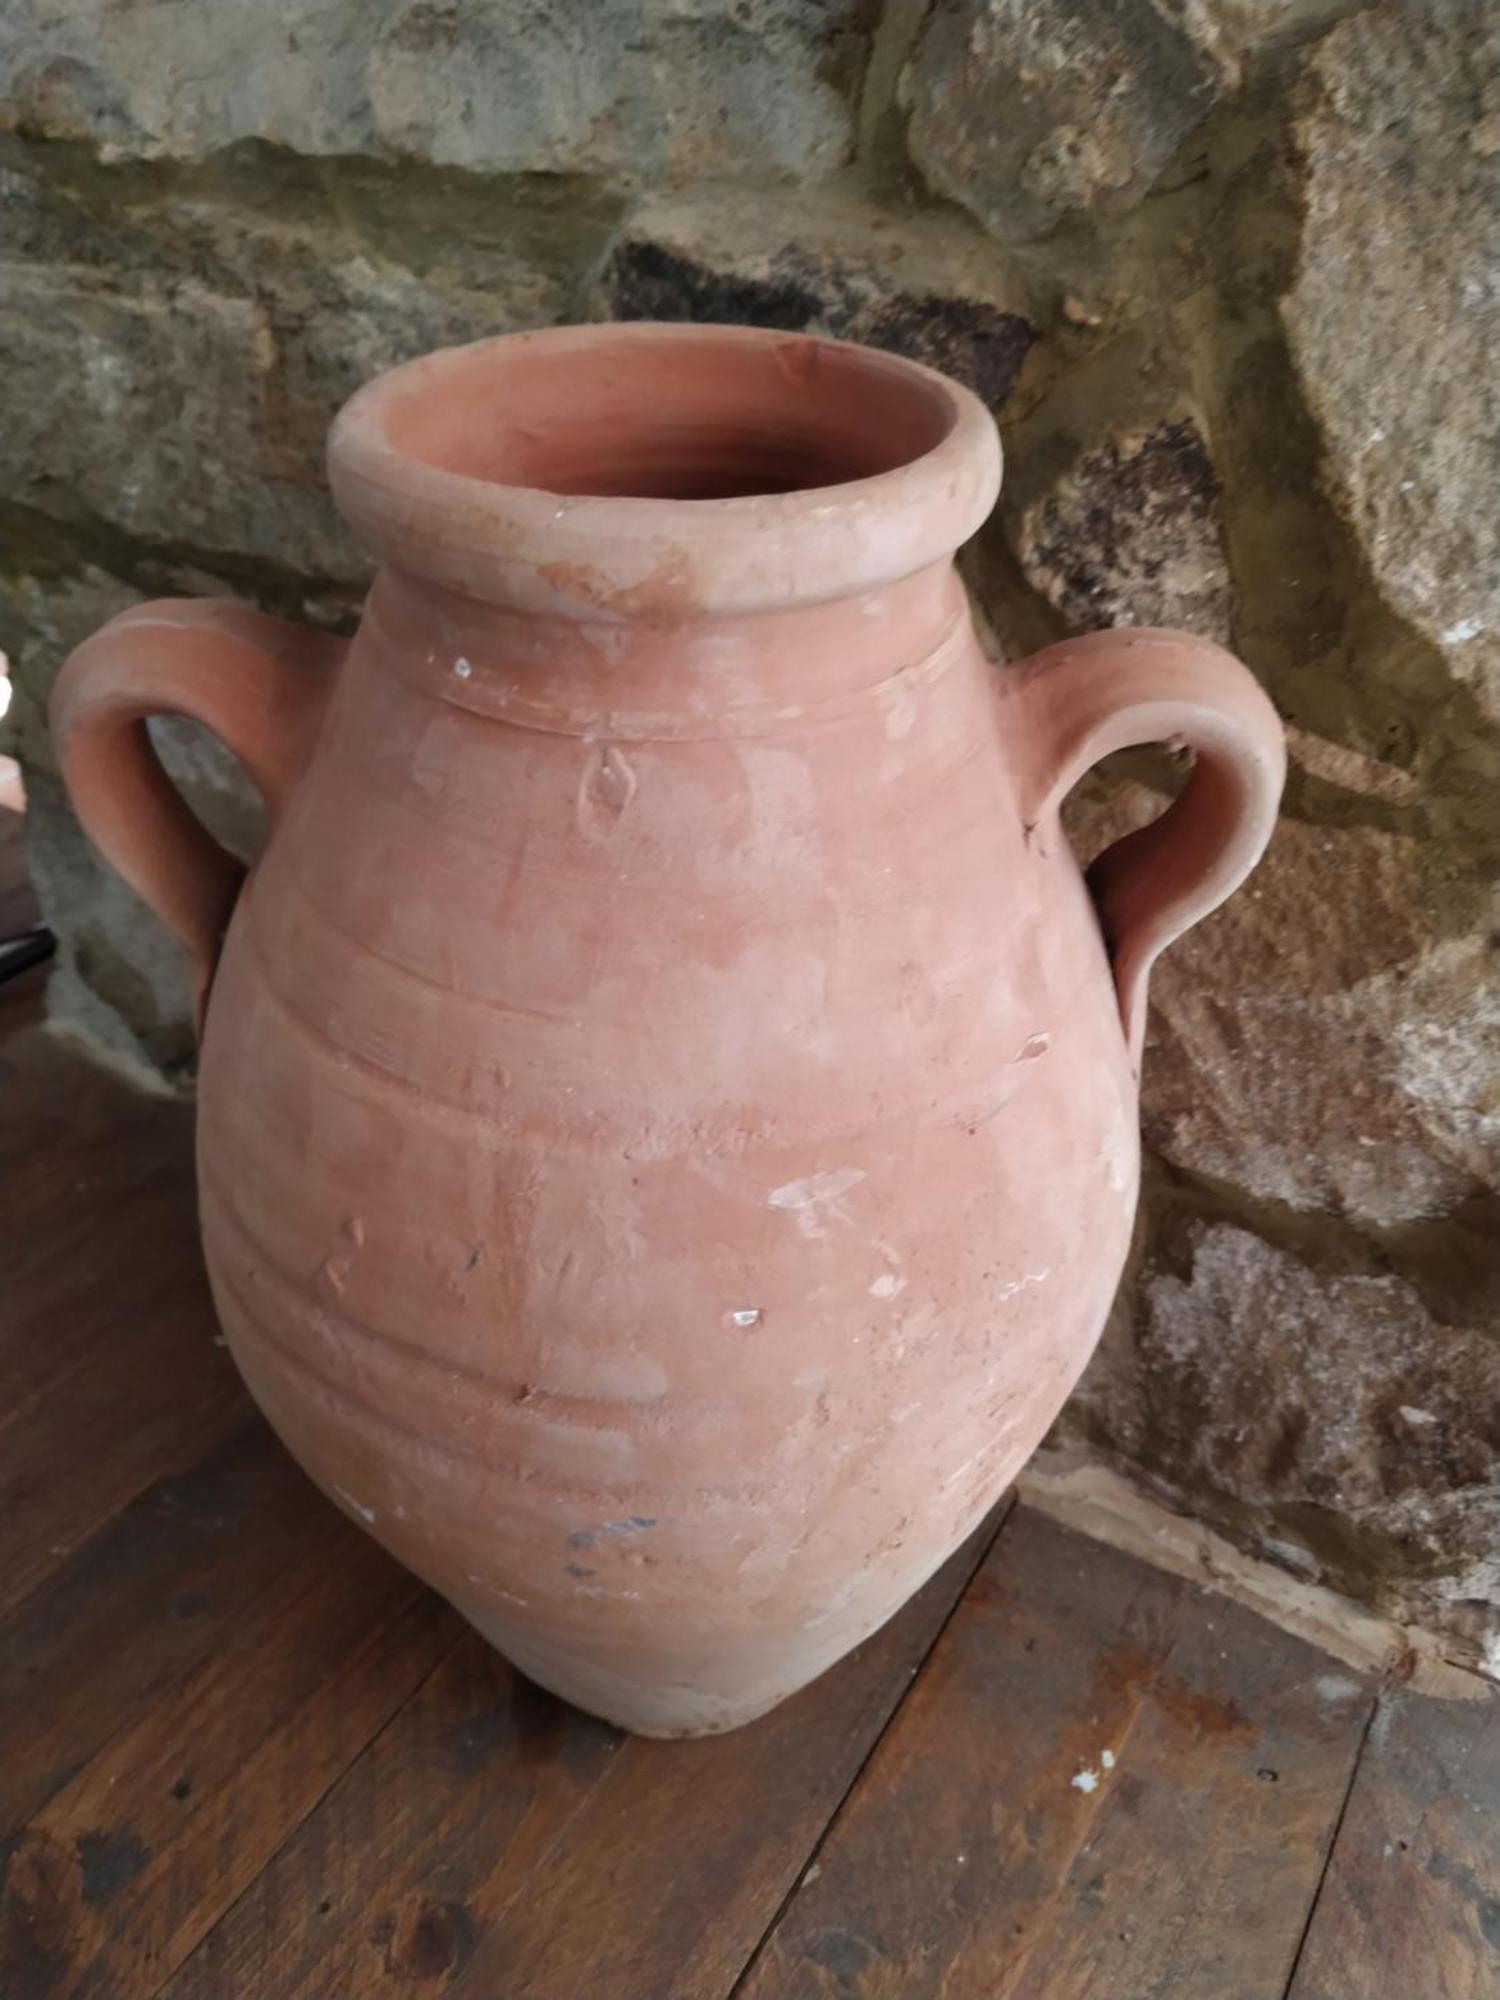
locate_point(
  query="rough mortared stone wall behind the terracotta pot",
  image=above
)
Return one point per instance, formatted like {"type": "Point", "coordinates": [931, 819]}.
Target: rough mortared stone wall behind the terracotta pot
{"type": "Point", "coordinates": [1227, 271]}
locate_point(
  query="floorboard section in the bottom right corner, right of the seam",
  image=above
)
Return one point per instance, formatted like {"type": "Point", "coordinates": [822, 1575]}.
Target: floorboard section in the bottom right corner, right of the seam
{"type": "Point", "coordinates": [1411, 1903]}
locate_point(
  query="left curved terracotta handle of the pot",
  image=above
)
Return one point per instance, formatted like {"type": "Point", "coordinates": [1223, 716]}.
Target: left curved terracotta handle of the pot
{"type": "Point", "coordinates": [257, 683]}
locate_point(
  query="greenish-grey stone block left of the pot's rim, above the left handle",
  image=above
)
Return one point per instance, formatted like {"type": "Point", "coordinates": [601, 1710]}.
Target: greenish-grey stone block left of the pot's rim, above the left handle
{"type": "Point", "coordinates": [181, 343]}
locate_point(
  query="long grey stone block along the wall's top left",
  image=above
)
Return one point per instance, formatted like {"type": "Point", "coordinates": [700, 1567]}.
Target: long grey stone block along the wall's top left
{"type": "Point", "coordinates": [631, 89]}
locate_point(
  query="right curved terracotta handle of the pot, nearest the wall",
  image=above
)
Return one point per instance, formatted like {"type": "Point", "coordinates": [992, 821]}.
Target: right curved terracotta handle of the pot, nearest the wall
{"type": "Point", "coordinates": [1113, 691]}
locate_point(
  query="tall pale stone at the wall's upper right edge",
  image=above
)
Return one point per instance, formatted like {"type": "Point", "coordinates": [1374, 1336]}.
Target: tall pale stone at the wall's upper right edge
{"type": "Point", "coordinates": [1395, 317]}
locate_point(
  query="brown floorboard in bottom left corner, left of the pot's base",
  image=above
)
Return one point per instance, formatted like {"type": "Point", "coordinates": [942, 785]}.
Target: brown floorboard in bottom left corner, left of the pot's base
{"type": "Point", "coordinates": [127, 1867]}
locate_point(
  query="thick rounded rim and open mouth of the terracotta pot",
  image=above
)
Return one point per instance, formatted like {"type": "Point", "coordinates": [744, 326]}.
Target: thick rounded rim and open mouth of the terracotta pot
{"type": "Point", "coordinates": [771, 469]}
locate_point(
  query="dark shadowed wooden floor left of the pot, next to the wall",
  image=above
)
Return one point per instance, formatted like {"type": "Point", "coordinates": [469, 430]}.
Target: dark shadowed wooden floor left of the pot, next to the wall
{"type": "Point", "coordinates": [109, 1371]}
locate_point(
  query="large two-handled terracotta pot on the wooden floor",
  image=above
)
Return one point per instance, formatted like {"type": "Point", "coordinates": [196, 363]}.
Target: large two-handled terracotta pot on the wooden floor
{"type": "Point", "coordinates": [667, 1107]}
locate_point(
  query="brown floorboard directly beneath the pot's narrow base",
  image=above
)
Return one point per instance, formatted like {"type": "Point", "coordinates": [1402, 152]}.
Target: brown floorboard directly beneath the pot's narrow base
{"type": "Point", "coordinates": [497, 1841]}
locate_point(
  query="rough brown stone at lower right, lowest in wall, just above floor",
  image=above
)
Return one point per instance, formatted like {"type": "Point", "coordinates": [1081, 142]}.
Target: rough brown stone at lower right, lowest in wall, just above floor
{"type": "Point", "coordinates": [1331, 1419]}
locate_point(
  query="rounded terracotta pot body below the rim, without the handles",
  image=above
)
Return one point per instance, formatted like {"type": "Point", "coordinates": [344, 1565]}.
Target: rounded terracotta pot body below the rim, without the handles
{"type": "Point", "coordinates": [665, 1185]}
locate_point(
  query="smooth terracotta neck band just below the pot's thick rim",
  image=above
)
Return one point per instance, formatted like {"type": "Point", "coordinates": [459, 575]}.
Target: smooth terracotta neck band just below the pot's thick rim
{"type": "Point", "coordinates": [711, 675]}
